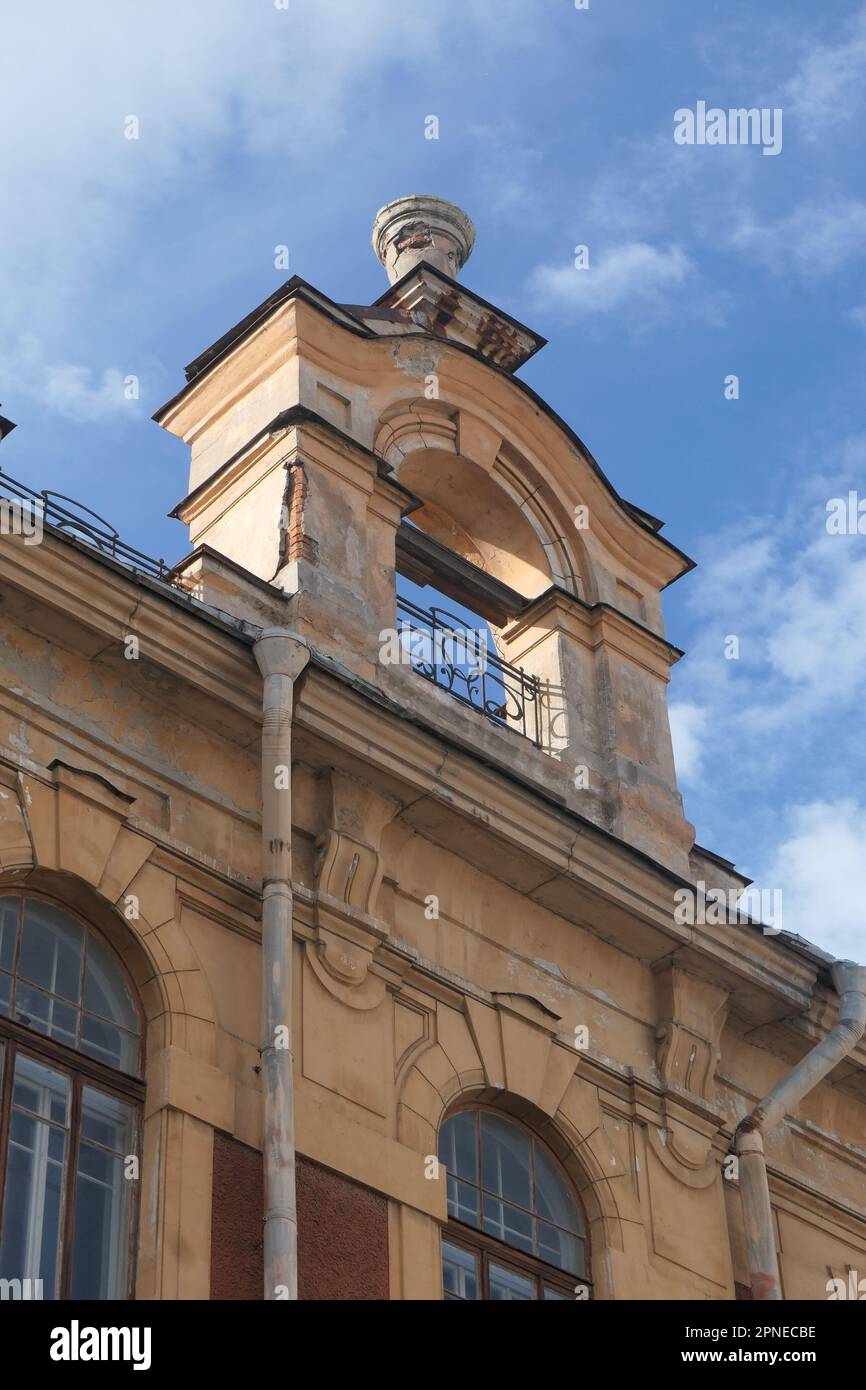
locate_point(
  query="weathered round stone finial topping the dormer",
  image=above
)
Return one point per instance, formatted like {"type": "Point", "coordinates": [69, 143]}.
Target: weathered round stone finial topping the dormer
{"type": "Point", "coordinates": [422, 229]}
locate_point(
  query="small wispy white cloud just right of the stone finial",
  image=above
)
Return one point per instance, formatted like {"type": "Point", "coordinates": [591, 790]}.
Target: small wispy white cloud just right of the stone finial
{"type": "Point", "coordinates": [633, 275]}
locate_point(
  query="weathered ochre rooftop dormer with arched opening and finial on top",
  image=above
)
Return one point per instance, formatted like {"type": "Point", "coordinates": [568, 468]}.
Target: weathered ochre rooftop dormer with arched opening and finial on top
{"type": "Point", "coordinates": [340, 447]}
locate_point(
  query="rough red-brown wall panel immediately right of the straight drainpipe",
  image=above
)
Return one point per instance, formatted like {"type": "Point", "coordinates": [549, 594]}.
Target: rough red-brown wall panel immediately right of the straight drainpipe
{"type": "Point", "coordinates": [343, 1236]}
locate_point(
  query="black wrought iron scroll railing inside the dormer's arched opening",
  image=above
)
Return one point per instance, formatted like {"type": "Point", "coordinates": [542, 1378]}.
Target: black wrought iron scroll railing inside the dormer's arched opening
{"type": "Point", "coordinates": [443, 650]}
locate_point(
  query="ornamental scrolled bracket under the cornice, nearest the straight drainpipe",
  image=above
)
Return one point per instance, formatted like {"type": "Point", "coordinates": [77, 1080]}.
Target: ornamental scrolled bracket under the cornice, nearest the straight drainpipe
{"type": "Point", "coordinates": [350, 875]}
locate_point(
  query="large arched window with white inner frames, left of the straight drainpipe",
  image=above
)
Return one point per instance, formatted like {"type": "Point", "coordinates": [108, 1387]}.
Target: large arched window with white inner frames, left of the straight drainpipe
{"type": "Point", "coordinates": [70, 1104]}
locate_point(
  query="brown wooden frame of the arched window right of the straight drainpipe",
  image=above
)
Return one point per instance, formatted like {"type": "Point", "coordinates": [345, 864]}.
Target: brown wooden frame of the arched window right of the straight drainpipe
{"type": "Point", "coordinates": [489, 1249]}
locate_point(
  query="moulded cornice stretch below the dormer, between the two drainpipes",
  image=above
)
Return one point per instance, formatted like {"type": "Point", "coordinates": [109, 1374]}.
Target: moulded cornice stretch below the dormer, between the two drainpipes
{"type": "Point", "coordinates": [564, 851]}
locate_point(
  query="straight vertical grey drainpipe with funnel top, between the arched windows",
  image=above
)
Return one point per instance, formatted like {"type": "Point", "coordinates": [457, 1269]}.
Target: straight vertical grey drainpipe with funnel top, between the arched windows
{"type": "Point", "coordinates": [281, 658]}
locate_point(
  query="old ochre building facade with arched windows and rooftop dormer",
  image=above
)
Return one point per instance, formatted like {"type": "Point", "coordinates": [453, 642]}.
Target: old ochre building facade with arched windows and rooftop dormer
{"type": "Point", "coordinates": [515, 1064]}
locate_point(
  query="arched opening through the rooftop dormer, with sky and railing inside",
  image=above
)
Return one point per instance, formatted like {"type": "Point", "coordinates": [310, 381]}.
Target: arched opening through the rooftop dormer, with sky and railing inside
{"type": "Point", "coordinates": [489, 540]}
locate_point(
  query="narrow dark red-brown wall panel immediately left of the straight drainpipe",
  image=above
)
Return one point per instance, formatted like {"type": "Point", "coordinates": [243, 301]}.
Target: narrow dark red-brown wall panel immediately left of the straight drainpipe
{"type": "Point", "coordinates": [236, 1235]}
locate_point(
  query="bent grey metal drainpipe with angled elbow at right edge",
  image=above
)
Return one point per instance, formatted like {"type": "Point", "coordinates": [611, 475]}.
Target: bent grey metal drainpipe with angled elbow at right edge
{"type": "Point", "coordinates": [850, 983]}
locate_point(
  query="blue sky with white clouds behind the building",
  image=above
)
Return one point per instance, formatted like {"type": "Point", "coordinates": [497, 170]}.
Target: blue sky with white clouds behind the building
{"type": "Point", "coordinates": [263, 126]}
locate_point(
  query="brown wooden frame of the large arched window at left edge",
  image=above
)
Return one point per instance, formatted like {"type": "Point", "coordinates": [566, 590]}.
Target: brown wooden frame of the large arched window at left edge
{"type": "Point", "coordinates": [83, 1072]}
